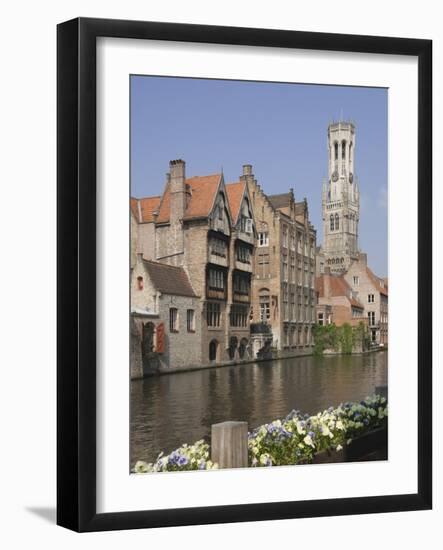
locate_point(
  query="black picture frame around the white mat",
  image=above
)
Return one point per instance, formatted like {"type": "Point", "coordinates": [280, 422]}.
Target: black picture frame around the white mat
{"type": "Point", "coordinates": [76, 265]}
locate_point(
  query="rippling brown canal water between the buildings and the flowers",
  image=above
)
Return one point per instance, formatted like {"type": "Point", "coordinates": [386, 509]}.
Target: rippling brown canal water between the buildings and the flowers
{"type": "Point", "coordinates": [169, 410]}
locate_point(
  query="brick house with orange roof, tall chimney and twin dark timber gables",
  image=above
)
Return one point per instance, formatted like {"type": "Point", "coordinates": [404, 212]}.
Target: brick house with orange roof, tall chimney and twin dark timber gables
{"type": "Point", "coordinates": [206, 228]}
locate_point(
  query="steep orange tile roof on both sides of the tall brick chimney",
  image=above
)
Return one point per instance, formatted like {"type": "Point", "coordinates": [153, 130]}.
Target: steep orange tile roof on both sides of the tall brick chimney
{"type": "Point", "coordinates": [202, 196]}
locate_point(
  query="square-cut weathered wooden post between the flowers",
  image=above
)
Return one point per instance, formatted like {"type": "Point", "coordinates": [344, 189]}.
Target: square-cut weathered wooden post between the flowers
{"type": "Point", "coordinates": [229, 444]}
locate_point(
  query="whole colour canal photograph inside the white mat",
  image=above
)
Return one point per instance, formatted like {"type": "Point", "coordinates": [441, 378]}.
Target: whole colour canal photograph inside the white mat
{"type": "Point", "coordinates": [258, 274]}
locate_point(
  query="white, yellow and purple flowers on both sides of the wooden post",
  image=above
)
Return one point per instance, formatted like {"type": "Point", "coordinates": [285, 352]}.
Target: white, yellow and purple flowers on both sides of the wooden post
{"type": "Point", "coordinates": [294, 440]}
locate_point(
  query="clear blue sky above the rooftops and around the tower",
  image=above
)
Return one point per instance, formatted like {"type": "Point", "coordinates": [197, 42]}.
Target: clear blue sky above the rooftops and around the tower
{"type": "Point", "coordinates": [281, 129]}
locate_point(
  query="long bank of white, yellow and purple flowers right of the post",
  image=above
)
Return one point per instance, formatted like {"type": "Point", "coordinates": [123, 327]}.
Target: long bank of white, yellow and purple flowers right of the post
{"type": "Point", "coordinates": [297, 438]}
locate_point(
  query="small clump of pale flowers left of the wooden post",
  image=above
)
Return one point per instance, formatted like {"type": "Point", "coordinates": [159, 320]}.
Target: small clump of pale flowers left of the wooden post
{"type": "Point", "coordinates": [187, 457]}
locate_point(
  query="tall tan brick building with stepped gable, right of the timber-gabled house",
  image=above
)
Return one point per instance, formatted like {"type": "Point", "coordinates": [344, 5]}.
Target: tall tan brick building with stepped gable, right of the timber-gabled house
{"type": "Point", "coordinates": [283, 293]}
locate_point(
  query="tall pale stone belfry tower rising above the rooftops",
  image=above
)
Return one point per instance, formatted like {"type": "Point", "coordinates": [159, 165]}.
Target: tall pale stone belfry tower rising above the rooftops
{"type": "Point", "coordinates": [340, 200]}
